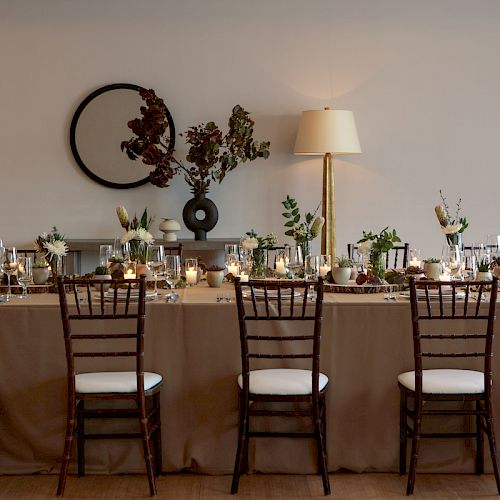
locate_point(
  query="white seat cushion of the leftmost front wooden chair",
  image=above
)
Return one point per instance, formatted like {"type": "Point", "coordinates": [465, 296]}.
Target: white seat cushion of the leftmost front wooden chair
{"type": "Point", "coordinates": [113, 382]}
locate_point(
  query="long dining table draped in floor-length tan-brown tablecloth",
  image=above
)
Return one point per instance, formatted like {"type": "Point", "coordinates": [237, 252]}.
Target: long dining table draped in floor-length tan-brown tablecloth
{"type": "Point", "coordinates": [194, 344]}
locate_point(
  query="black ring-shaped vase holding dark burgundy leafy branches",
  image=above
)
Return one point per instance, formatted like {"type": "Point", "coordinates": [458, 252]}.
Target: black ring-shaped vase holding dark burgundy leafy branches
{"type": "Point", "coordinates": [211, 153]}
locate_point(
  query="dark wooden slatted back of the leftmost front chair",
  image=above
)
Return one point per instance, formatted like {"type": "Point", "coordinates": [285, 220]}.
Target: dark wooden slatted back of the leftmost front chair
{"type": "Point", "coordinates": [82, 307]}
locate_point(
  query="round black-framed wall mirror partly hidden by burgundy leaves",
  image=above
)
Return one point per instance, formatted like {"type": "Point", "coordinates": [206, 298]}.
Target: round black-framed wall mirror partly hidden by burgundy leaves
{"type": "Point", "coordinates": [99, 126]}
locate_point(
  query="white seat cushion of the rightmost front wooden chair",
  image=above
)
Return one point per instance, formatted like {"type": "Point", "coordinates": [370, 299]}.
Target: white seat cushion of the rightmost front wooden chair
{"type": "Point", "coordinates": [446, 381]}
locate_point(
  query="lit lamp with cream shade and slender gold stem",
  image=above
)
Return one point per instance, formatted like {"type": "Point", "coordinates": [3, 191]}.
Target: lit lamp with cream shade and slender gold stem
{"type": "Point", "coordinates": [327, 132]}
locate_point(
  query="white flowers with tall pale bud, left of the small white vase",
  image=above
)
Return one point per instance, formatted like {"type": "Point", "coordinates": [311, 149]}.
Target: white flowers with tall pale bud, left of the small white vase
{"type": "Point", "coordinates": [137, 236]}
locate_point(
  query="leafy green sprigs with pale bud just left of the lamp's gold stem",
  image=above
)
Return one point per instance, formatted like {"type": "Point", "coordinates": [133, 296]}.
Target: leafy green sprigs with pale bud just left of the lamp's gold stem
{"type": "Point", "coordinates": [302, 232]}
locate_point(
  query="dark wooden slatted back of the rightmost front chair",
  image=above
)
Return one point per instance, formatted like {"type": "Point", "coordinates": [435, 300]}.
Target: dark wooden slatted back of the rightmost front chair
{"type": "Point", "coordinates": [447, 316]}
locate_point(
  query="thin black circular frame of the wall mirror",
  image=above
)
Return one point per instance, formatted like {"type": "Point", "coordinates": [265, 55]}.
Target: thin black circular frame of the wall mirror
{"type": "Point", "coordinates": [72, 136]}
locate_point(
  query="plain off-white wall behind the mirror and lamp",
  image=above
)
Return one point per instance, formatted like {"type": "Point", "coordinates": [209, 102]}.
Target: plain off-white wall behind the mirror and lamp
{"type": "Point", "coordinates": [421, 77]}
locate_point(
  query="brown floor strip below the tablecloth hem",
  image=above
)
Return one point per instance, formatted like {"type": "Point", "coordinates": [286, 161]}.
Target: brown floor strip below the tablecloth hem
{"type": "Point", "coordinates": [255, 486]}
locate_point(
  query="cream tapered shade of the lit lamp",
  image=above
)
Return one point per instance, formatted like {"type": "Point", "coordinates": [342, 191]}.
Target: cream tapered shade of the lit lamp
{"type": "Point", "coordinates": [327, 131]}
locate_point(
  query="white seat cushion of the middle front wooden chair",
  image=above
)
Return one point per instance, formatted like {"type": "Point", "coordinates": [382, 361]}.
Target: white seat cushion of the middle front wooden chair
{"type": "Point", "coordinates": [282, 381]}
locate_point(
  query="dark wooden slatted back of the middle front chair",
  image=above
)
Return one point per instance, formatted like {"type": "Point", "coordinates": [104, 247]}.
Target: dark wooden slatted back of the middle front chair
{"type": "Point", "coordinates": [285, 301]}
